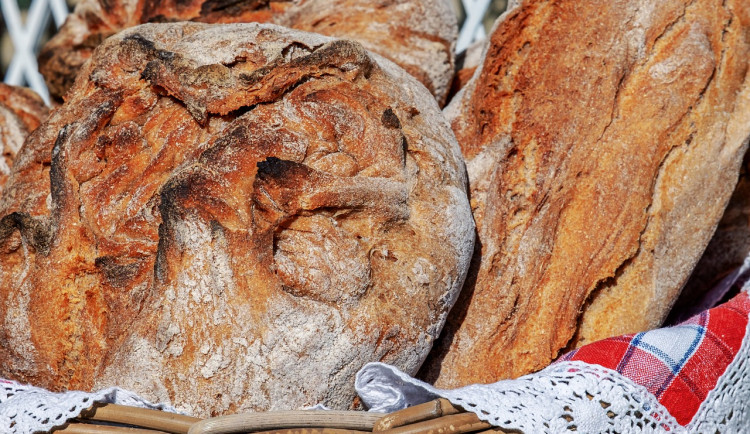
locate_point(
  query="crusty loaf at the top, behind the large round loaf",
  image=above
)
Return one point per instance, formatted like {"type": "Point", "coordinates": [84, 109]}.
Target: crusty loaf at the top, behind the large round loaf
{"type": "Point", "coordinates": [419, 35]}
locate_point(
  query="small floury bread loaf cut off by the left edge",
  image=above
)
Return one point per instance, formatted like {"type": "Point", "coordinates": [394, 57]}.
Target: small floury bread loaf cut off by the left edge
{"type": "Point", "coordinates": [21, 112]}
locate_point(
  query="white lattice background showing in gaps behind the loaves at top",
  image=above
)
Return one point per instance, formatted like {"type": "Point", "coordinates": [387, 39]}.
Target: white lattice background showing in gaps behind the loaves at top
{"type": "Point", "coordinates": [25, 27]}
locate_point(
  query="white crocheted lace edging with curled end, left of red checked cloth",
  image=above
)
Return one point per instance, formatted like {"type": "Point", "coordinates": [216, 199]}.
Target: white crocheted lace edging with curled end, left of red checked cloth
{"type": "Point", "coordinates": [568, 396]}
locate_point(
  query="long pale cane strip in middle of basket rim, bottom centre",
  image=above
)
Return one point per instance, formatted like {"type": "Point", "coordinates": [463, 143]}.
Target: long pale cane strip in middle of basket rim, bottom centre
{"type": "Point", "coordinates": [275, 420]}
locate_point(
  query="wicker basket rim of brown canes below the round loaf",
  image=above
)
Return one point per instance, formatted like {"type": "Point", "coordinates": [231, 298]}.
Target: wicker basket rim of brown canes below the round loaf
{"type": "Point", "coordinates": [439, 416]}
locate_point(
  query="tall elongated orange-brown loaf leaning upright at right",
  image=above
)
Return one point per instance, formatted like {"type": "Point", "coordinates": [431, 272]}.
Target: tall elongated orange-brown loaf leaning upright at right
{"type": "Point", "coordinates": [603, 140]}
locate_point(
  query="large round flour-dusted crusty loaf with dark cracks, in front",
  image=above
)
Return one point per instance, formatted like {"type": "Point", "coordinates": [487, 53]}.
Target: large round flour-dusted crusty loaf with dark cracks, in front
{"type": "Point", "coordinates": [235, 229]}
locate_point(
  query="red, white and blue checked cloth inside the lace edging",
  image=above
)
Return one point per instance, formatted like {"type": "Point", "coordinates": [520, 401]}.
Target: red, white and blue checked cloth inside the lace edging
{"type": "Point", "coordinates": [678, 365]}
